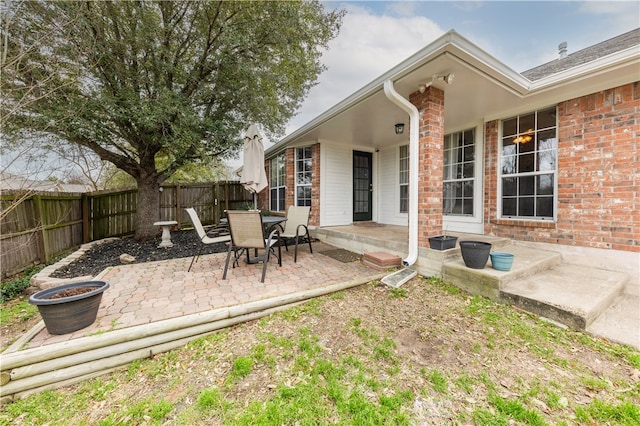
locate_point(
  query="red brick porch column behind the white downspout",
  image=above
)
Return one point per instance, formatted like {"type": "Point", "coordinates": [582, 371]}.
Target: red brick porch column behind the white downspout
{"type": "Point", "coordinates": [430, 164]}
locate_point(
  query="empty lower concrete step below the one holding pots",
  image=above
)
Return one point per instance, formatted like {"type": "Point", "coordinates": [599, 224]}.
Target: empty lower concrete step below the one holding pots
{"type": "Point", "coordinates": [570, 294]}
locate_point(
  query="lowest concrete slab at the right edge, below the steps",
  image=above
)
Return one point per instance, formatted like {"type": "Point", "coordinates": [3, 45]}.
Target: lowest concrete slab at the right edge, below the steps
{"type": "Point", "coordinates": [619, 323]}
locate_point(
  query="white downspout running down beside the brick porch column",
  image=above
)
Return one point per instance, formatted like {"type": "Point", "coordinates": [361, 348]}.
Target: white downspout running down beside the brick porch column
{"type": "Point", "coordinates": [414, 119]}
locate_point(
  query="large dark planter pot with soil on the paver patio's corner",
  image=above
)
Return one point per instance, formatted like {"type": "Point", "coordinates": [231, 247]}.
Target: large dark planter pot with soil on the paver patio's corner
{"type": "Point", "coordinates": [69, 313]}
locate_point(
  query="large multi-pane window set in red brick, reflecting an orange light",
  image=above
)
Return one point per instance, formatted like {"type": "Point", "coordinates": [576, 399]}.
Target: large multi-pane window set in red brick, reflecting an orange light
{"type": "Point", "coordinates": [528, 165]}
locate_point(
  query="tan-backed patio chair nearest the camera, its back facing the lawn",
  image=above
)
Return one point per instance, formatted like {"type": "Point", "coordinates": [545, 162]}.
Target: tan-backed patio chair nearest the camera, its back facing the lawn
{"type": "Point", "coordinates": [247, 232]}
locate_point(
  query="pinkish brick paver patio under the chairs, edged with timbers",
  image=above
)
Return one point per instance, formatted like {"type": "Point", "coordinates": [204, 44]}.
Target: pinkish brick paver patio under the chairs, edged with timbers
{"type": "Point", "coordinates": [149, 292]}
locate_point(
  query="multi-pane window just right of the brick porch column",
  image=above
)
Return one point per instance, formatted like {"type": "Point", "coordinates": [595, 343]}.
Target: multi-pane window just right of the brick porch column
{"type": "Point", "coordinates": [459, 173]}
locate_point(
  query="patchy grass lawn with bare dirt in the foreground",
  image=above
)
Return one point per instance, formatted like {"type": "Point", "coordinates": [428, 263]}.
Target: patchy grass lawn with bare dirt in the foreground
{"type": "Point", "coordinates": [426, 353]}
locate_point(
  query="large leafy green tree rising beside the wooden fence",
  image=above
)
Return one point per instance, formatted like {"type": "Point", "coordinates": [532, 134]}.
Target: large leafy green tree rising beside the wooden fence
{"type": "Point", "coordinates": [136, 81]}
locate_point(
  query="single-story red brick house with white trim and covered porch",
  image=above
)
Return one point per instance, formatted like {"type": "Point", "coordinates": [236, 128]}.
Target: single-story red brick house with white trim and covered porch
{"type": "Point", "coordinates": [548, 156]}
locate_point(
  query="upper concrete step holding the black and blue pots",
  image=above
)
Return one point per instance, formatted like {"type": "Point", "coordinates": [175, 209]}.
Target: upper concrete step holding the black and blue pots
{"type": "Point", "coordinates": [488, 281]}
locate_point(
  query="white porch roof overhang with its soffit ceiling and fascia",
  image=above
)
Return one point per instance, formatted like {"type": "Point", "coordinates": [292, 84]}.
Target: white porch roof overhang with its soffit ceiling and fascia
{"type": "Point", "coordinates": [483, 89]}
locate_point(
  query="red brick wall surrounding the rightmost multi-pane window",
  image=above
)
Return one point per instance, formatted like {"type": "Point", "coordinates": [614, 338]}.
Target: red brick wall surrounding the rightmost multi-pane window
{"type": "Point", "coordinates": [598, 175]}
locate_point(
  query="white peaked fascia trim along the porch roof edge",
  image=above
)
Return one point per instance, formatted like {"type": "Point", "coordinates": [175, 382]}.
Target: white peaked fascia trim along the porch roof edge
{"type": "Point", "coordinates": [451, 42]}
